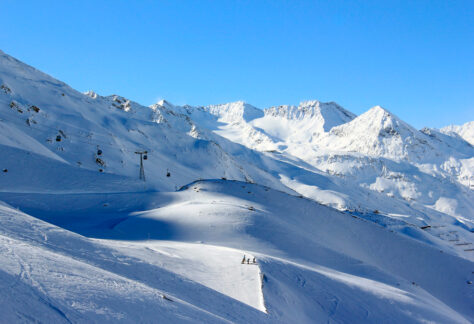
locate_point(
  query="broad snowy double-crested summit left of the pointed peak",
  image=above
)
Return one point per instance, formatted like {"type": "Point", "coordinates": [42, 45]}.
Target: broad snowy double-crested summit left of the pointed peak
{"type": "Point", "coordinates": [272, 128]}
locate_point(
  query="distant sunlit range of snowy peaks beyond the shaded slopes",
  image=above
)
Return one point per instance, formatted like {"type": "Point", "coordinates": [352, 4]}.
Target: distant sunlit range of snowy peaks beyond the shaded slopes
{"type": "Point", "coordinates": [363, 160]}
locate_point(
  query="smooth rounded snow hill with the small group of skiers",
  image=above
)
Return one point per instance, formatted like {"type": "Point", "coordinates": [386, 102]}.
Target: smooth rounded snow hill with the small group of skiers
{"type": "Point", "coordinates": [349, 270]}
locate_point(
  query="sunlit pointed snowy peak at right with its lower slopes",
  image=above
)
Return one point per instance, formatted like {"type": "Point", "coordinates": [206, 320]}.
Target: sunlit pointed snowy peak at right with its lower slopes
{"type": "Point", "coordinates": [380, 152]}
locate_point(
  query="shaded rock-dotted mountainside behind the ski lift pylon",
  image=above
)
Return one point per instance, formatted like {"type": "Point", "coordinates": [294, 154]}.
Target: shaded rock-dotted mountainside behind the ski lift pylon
{"type": "Point", "coordinates": [36, 110]}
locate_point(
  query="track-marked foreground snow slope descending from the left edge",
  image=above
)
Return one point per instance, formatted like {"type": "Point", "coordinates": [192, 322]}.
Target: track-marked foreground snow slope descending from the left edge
{"type": "Point", "coordinates": [52, 275]}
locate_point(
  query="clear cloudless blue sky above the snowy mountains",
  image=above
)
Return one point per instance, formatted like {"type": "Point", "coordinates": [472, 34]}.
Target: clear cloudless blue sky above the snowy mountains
{"type": "Point", "coordinates": [415, 58]}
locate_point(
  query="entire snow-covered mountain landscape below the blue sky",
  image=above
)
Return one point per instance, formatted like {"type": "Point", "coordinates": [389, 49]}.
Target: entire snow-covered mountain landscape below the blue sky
{"type": "Point", "coordinates": [350, 219]}
